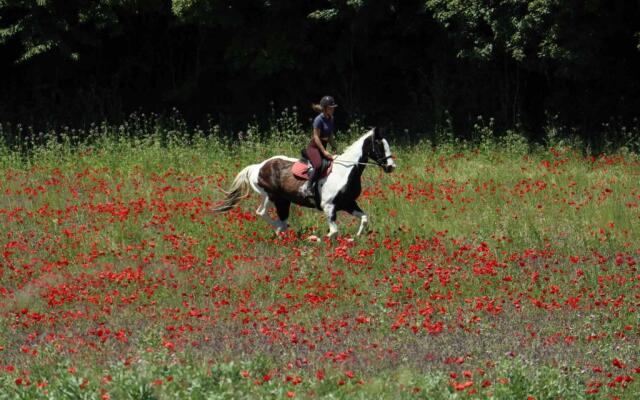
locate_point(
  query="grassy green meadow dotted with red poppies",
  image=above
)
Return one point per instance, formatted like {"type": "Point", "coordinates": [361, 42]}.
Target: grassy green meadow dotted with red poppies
{"type": "Point", "coordinates": [494, 270]}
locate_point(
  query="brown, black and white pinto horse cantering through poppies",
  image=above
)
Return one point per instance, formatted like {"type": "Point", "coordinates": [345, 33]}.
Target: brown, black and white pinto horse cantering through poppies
{"type": "Point", "coordinates": [275, 181]}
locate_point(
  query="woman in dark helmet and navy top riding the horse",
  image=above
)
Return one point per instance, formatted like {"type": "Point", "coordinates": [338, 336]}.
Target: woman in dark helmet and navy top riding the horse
{"type": "Point", "coordinates": [322, 134]}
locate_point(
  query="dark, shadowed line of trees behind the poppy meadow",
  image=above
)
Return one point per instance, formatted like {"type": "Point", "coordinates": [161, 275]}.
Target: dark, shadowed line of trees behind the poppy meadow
{"type": "Point", "coordinates": [422, 65]}
